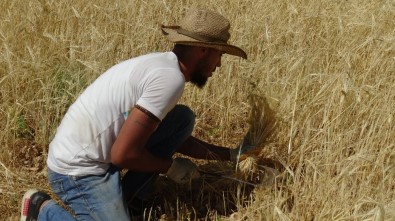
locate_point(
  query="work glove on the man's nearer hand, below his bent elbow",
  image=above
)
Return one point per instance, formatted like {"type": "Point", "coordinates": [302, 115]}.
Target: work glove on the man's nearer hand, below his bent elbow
{"type": "Point", "coordinates": [182, 170]}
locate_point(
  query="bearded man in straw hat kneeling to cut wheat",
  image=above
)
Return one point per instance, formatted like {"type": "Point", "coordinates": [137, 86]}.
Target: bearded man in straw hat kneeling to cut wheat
{"type": "Point", "coordinates": [129, 119]}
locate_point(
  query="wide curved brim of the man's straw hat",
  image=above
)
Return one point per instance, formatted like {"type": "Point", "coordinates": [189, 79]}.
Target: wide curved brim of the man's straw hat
{"type": "Point", "coordinates": [175, 37]}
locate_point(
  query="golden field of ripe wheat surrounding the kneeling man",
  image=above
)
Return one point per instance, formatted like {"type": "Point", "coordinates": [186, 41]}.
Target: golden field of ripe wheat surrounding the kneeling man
{"type": "Point", "coordinates": [324, 70]}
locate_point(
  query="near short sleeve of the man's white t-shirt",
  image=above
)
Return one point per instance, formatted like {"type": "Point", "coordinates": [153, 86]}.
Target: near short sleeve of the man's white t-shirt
{"type": "Point", "coordinates": [161, 91]}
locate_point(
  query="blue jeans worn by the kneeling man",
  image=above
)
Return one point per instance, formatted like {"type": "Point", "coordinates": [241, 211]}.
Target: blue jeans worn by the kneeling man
{"type": "Point", "coordinates": [102, 197]}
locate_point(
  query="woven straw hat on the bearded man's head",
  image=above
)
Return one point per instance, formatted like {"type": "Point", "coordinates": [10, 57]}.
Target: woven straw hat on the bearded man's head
{"type": "Point", "coordinates": [203, 28]}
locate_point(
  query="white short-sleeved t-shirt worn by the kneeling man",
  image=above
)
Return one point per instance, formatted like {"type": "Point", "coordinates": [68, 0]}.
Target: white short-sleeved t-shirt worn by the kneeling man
{"type": "Point", "coordinates": [83, 141]}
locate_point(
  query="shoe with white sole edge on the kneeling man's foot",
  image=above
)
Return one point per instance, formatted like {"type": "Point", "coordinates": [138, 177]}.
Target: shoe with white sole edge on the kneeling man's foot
{"type": "Point", "coordinates": [31, 203]}
